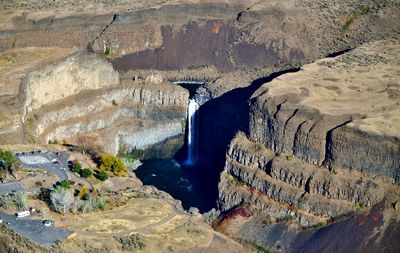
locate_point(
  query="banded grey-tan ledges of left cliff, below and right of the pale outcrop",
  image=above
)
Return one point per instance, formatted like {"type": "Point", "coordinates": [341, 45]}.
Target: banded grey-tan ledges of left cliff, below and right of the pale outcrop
{"type": "Point", "coordinates": [133, 115]}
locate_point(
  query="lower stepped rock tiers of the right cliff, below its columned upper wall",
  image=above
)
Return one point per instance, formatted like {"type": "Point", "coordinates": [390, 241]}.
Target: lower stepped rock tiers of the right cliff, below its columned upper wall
{"type": "Point", "coordinates": [283, 185]}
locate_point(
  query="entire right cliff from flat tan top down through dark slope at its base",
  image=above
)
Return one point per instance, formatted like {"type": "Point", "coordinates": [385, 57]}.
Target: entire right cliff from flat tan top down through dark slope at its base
{"type": "Point", "coordinates": [323, 145]}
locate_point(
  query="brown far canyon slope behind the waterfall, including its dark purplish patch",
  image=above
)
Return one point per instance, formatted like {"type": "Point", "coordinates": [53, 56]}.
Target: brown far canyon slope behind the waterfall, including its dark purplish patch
{"type": "Point", "coordinates": [228, 35]}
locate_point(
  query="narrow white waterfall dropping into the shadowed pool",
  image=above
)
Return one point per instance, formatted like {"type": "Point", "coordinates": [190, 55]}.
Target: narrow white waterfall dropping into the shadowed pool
{"type": "Point", "coordinates": [191, 141]}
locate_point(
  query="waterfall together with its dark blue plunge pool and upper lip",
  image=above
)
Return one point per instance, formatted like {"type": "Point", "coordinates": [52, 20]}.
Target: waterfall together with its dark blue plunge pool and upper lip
{"type": "Point", "coordinates": [186, 176]}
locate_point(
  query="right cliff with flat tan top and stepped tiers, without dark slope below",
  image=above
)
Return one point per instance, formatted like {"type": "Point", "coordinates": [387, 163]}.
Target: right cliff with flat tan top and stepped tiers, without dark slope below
{"type": "Point", "coordinates": [322, 140]}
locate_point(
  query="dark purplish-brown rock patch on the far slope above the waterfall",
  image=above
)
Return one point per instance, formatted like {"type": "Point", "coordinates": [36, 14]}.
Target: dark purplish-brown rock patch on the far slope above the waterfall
{"type": "Point", "coordinates": [197, 44]}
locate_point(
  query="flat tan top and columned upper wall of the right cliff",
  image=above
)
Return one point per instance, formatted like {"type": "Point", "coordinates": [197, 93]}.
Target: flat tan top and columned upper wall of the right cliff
{"type": "Point", "coordinates": [338, 112]}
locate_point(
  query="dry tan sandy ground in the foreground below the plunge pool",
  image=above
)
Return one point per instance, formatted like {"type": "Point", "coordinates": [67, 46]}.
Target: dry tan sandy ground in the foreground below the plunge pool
{"type": "Point", "coordinates": [160, 225]}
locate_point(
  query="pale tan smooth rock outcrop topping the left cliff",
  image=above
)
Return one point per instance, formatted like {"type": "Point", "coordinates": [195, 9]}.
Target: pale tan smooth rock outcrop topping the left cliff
{"type": "Point", "coordinates": [80, 71]}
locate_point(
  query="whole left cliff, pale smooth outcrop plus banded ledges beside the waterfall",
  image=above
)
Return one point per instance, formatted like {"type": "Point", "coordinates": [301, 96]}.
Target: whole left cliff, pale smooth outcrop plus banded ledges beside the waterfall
{"type": "Point", "coordinates": [81, 99]}
